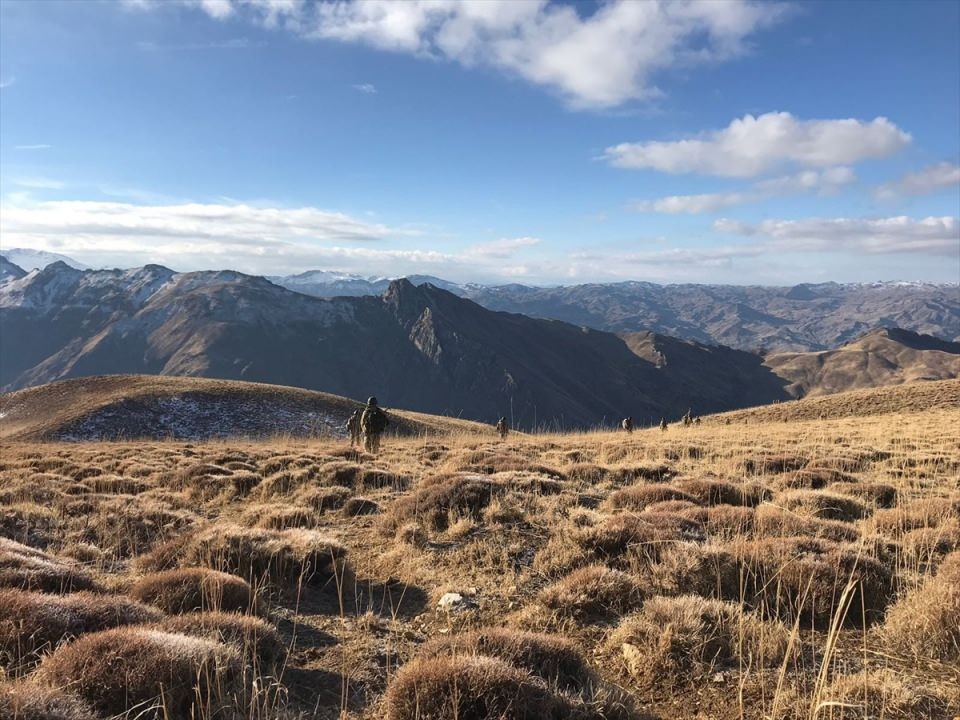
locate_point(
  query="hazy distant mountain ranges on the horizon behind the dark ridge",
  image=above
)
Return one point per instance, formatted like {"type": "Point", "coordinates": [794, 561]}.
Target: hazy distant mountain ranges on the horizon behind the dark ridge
{"type": "Point", "coordinates": [804, 317]}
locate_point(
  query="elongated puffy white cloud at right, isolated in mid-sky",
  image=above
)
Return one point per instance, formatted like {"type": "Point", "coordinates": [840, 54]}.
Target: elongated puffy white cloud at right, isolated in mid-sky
{"type": "Point", "coordinates": [752, 146]}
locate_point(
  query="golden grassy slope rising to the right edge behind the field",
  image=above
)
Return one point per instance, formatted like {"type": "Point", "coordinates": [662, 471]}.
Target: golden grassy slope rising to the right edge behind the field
{"type": "Point", "coordinates": [905, 398]}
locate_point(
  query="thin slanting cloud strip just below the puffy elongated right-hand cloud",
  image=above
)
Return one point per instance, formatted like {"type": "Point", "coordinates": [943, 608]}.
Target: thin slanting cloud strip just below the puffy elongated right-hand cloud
{"type": "Point", "coordinates": [824, 182]}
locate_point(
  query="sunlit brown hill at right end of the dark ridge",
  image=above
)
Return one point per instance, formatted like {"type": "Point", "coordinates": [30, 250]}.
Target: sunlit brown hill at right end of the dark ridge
{"type": "Point", "coordinates": [878, 358]}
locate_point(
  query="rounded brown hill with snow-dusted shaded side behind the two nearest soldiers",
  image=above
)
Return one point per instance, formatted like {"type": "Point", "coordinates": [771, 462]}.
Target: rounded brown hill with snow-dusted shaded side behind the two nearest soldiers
{"type": "Point", "coordinates": [144, 406]}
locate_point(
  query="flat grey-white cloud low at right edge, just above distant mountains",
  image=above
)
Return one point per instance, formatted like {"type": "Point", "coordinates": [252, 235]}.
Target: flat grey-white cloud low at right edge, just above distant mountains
{"type": "Point", "coordinates": [931, 235]}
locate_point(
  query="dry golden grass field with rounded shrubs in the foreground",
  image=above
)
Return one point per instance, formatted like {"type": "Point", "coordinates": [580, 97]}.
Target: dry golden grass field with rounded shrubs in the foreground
{"type": "Point", "coordinates": [764, 570]}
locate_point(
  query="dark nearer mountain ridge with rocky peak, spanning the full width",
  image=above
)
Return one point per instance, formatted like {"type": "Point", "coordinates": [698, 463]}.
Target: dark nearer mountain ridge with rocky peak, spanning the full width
{"type": "Point", "coordinates": [417, 347]}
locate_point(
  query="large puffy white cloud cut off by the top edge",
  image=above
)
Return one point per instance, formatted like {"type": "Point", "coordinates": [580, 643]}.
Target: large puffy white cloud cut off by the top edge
{"type": "Point", "coordinates": [546, 43]}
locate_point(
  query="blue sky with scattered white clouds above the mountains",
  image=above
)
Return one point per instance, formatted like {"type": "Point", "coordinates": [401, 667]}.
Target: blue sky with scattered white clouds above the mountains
{"type": "Point", "coordinates": [523, 142]}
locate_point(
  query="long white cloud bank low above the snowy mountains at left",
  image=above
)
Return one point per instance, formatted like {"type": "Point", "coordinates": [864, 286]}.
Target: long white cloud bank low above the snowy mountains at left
{"type": "Point", "coordinates": [258, 240]}
